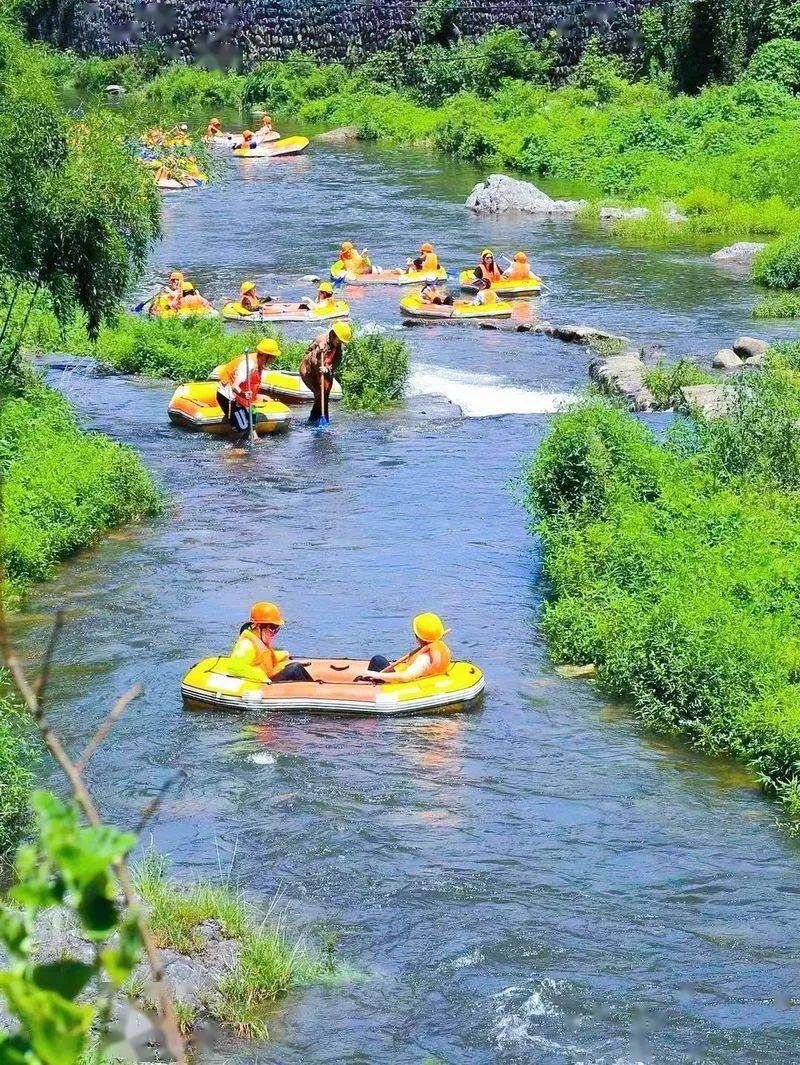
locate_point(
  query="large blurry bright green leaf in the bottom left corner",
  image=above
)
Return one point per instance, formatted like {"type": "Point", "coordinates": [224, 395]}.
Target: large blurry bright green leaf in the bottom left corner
{"type": "Point", "coordinates": [56, 1027]}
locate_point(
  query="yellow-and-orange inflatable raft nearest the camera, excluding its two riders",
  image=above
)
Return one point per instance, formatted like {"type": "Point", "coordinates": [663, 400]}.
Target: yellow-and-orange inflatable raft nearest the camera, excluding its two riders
{"type": "Point", "coordinates": [335, 690]}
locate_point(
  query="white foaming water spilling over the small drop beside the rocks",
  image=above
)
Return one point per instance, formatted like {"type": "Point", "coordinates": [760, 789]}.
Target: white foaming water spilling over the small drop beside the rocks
{"type": "Point", "coordinates": [482, 396]}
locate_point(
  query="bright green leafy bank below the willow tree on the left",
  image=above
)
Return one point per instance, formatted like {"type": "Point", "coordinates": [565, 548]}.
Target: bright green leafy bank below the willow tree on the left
{"type": "Point", "coordinates": [62, 487]}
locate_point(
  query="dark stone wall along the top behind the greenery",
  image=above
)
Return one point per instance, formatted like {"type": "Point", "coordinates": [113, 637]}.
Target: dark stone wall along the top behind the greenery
{"type": "Point", "coordinates": [251, 30]}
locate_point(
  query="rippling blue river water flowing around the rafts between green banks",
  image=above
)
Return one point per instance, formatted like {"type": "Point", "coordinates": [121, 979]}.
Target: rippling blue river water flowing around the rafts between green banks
{"type": "Point", "coordinates": [536, 881]}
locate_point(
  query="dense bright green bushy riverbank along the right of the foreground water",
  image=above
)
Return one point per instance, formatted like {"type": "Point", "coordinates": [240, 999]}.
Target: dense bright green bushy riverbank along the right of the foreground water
{"type": "Point", "coordinates": [675, 567]}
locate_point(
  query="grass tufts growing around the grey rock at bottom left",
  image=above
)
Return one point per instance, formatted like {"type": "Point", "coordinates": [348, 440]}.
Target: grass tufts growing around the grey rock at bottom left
{"type": "Point", "coordinates": [270, 964]}
